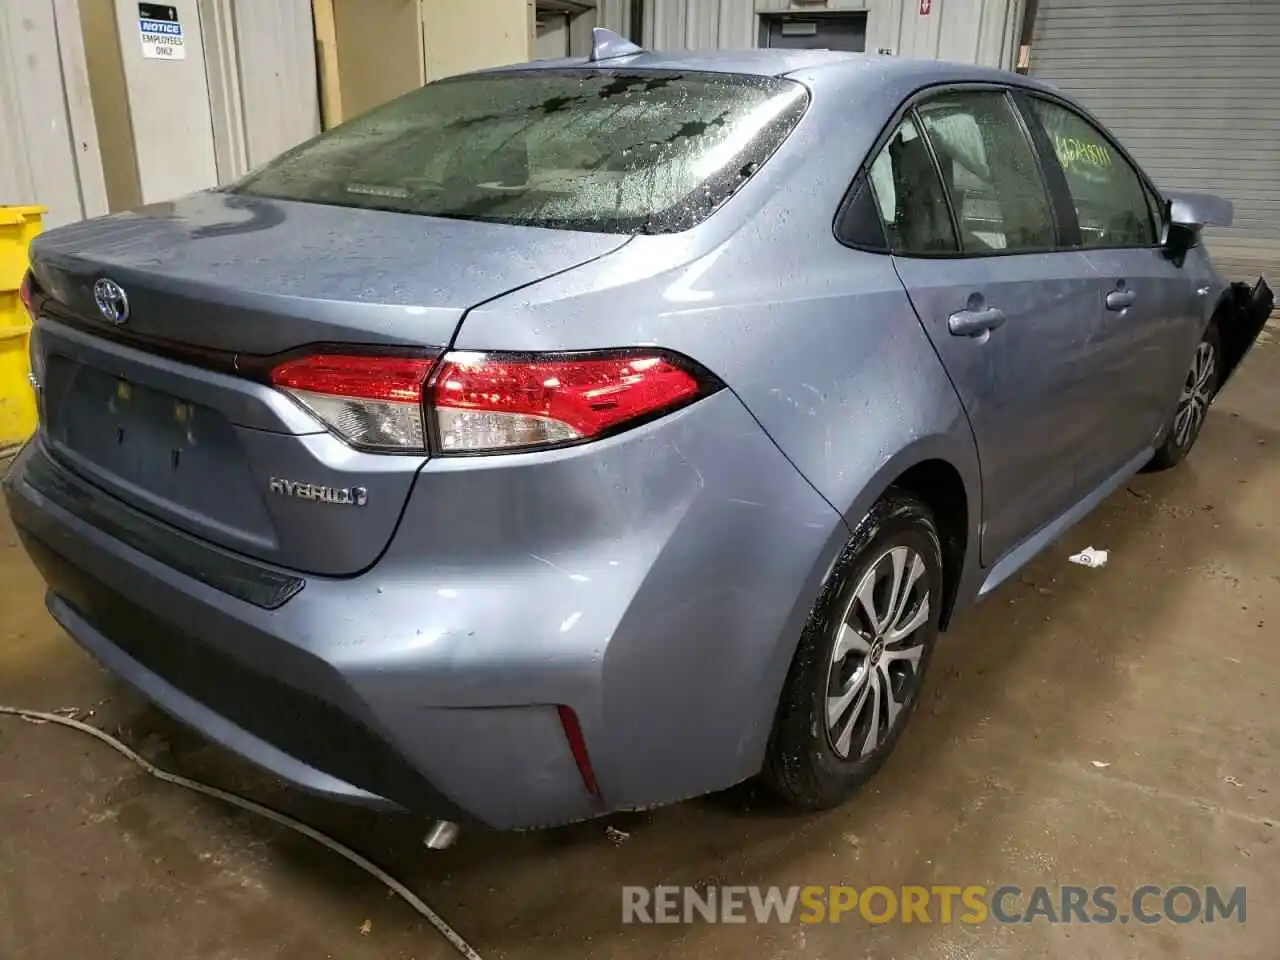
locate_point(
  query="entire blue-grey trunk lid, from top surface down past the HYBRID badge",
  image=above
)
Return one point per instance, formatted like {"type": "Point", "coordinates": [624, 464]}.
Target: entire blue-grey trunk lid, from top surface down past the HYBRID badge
{"type": "Point", "coordinates": [158, 409]}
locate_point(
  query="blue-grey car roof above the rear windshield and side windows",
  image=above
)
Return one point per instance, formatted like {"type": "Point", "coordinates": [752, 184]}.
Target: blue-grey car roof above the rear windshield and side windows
{"type": "Point", "coordinates": [817, 66]}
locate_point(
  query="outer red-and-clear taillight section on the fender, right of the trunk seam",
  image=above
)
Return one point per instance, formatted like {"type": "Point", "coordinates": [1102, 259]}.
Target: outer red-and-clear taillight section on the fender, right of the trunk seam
{"type": "Point", "coordinates": [491, 403]}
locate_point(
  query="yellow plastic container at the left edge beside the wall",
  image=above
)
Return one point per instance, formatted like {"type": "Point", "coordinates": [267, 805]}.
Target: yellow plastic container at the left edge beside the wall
{"type": "Point", "coordinates": [19, 226]}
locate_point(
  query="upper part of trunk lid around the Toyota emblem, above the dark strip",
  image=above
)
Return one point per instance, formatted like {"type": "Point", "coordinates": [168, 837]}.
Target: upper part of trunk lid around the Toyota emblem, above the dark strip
{"type": "Point", "coordinates": [258, 277]}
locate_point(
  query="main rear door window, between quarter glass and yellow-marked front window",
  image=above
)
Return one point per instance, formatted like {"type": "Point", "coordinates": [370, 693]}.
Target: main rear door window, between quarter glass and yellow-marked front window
{"type": "Point", "coordinates": [990, 171]}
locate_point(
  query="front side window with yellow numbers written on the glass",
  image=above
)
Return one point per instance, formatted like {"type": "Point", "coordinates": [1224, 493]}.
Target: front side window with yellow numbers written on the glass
{"type": "Point", "coordinates": [1110, 200]}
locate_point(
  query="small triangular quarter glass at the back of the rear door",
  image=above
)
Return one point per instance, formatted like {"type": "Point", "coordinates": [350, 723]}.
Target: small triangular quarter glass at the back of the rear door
{"type": "Point", "coordinates": [909, 196]}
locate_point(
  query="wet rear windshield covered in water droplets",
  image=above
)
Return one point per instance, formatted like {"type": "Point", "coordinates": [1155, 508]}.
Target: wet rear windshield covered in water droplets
{"type": "Point", "coordinates": [589, 150]}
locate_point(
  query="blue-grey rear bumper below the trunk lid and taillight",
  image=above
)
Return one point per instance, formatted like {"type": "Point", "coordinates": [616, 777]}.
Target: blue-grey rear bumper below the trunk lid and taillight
{"type": "Point", "coordinates": [655, 583]}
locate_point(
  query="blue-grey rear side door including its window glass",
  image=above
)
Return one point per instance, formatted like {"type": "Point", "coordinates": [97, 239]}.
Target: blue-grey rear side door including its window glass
{"type": "Point", "coordinates": [1013, 317]}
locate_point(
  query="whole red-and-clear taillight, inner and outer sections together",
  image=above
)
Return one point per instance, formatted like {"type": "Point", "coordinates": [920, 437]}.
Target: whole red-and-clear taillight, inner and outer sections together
{"type": "Point", "coordinates": [487, 403]}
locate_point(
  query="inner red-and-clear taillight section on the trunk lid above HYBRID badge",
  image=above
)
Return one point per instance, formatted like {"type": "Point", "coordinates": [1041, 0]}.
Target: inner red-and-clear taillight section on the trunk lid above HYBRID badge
{"type": "Point", "coordinates": [371, 401]}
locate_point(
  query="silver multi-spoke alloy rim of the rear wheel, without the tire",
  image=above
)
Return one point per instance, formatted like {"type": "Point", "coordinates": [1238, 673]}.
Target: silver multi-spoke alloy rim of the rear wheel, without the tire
{"type": "Point", "coordinates": [876, 661]}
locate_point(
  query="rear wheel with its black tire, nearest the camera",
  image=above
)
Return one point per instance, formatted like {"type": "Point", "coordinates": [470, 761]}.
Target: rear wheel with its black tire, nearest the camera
{"type": "Point", "coordinates": [804, 766]}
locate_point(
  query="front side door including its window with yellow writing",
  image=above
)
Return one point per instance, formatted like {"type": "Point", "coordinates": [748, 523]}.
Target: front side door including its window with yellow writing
{"type": "Point", "coordinates": [1150, 314]}
